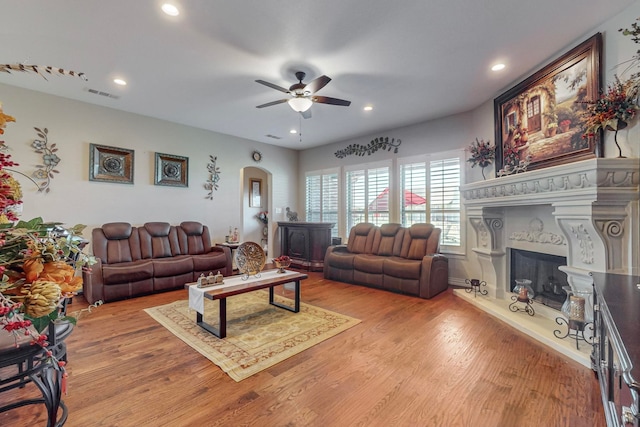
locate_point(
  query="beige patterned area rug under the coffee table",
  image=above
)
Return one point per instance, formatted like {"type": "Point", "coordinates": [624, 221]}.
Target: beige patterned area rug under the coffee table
{"type": "Point", "coordinates": [259, 335]}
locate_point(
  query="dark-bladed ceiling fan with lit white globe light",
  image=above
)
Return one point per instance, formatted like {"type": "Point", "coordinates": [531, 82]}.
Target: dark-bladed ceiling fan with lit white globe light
{"type": "Point", "coordinates": [303, 95]}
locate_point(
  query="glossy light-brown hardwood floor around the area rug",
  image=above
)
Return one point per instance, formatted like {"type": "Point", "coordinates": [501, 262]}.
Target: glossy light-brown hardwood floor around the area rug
{"type": "Point", "coordinates": [410, 362]}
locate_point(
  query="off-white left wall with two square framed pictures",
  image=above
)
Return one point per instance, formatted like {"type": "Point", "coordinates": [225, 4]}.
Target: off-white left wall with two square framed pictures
{"type": "Point", "coordinates": [74, 199]}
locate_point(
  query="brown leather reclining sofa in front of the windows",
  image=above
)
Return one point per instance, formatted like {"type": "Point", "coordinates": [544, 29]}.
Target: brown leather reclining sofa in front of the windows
{"type": "Point", "coordinates": [391, 257]}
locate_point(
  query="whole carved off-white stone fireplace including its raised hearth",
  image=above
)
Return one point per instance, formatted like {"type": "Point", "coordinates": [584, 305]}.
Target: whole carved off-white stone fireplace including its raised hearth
{"type": "Point", "coordinates": [586, 212]}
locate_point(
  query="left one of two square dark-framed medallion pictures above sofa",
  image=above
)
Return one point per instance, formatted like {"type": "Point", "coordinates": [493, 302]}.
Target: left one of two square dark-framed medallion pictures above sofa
{"type": "Point", "coordinates": [110, 164]}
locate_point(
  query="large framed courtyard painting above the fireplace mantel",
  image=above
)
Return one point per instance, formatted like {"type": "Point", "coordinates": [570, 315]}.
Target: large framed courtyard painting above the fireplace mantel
{"type": "Point", "coordinates": [541, 120]}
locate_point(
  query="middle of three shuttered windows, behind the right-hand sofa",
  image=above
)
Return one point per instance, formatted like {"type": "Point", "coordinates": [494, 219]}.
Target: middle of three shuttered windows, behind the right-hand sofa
{"type": "Point", "coordinates": [367, 192]}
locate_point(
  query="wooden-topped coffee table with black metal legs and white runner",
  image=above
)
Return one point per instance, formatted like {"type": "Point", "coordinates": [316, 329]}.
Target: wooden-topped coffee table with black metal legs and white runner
{"type": "Point", "coordinates": [222, 292]}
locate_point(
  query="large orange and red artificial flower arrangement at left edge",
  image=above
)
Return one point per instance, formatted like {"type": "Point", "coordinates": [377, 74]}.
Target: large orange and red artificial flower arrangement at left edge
{"type": "Point", "coordinates": [38, 265]}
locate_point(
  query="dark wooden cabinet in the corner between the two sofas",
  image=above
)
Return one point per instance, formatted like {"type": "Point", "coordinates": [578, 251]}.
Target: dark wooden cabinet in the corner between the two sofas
{"type": "Point", "coordinates": [305, 243]}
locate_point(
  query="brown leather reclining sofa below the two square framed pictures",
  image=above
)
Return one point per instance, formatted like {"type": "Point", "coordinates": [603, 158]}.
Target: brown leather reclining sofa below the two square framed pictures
{"type": "Point", "coordinates": [134, 261]}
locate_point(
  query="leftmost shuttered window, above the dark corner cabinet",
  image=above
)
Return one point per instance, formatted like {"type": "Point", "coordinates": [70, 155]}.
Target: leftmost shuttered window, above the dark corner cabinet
{"type": "Point", "coordinates": [322, 198]}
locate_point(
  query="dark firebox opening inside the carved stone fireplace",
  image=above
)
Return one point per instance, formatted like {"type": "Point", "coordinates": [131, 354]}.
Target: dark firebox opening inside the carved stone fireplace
{"type": "Point", "coordinates": [548, 282]}
